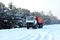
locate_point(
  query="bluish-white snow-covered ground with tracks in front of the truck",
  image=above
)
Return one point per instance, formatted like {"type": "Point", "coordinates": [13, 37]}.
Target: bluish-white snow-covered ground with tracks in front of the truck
{"type": "Point", "coordinates": [48, 32]}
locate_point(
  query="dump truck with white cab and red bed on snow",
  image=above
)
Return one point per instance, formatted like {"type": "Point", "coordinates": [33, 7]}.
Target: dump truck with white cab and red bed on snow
{"type": "Point", "coordinates": [34, 22]}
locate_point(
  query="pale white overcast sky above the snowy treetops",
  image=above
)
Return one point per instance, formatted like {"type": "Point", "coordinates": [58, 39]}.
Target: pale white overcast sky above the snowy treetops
{"type": "Point", "coordinates": [37, 5]}
